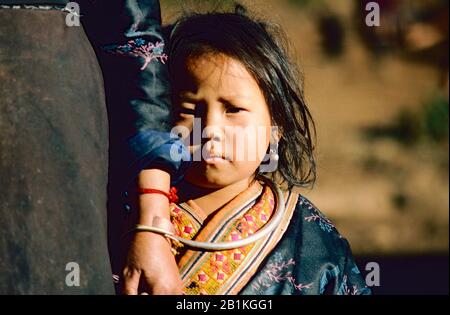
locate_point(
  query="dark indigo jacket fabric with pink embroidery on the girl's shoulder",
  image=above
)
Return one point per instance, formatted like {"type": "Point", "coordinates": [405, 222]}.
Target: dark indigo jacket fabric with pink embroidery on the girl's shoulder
{"type": "Point", "coordinates": [312, 258]}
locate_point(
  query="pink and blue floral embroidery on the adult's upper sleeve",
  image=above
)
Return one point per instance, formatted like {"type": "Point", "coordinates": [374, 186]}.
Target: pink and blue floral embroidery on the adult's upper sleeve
{"type": "Point", "coordinates": [141, 48]}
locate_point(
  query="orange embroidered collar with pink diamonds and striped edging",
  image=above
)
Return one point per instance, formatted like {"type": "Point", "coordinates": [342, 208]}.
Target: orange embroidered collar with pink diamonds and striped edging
{"type": "Point", "coordinates": [226, 272]}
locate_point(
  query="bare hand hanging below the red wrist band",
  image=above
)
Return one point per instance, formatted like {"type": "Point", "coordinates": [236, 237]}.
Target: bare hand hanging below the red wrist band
{"type": "Point", "coordinates": [150, 267]}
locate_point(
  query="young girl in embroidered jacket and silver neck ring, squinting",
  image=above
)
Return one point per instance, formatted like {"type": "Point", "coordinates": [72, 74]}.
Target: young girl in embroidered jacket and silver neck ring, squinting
{"type": "Point", "coordinates": [234, 230]}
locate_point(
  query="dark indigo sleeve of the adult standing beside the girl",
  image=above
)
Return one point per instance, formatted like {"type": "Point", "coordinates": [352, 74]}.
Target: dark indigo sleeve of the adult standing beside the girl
{"type": "Point", "coordinates": [137, 91]}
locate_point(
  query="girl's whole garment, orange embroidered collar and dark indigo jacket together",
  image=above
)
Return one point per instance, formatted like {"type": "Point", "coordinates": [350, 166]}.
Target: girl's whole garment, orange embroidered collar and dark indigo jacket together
{"type": "Point", "coordinates": [304, 255]}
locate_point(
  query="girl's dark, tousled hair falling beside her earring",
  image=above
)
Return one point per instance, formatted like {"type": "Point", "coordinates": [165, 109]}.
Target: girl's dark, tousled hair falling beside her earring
{"type": "Point", "coordinates": [249, 41]}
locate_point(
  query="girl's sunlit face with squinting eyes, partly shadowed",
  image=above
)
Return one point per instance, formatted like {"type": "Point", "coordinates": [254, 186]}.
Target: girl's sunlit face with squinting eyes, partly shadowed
{"type": "Point", "coordinates": [226, 119]}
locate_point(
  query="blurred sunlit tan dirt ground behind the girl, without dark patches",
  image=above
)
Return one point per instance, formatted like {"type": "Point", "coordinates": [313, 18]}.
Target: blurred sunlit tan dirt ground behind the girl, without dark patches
{"type": "Point", "coordinates": [360, 182]}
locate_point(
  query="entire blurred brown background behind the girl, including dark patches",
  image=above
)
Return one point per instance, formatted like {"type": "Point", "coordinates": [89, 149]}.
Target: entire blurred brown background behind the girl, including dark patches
{"type": "Point", "coordinates": [379, 96]}
